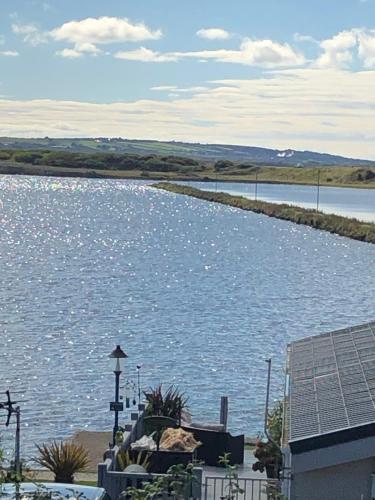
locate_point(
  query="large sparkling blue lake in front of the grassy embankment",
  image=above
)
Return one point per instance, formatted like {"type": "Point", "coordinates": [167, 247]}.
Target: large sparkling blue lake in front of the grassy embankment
{"type": "Point", "coordinates": [197, 293]}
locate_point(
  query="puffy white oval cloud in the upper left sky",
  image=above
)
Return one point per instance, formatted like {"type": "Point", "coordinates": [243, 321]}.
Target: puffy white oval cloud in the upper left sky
{"type": "Point", "coordinates": [104, 30]}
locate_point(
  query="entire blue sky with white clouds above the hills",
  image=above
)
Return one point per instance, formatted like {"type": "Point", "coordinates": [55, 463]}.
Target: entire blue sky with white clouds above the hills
{"type": "Point", "coordinates": [286, 74]}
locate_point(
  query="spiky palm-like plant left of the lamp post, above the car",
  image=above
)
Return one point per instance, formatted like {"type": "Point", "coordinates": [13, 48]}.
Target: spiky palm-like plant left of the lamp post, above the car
{"type": "Point", "coordinates": [63, 459]}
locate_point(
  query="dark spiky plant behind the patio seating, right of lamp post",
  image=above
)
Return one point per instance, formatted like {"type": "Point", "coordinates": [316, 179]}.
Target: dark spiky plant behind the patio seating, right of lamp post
{"type": "Point", "coordinates": [167, 404]}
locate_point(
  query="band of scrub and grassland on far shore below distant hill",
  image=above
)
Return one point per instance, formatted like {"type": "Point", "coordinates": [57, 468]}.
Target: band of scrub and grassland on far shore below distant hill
{"type": "Point", "coordinates": [174, 168]}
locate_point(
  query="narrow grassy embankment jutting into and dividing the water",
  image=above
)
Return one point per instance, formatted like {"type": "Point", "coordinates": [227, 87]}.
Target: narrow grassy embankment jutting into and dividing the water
{"type": "Point", "coordinates": [336, 224]}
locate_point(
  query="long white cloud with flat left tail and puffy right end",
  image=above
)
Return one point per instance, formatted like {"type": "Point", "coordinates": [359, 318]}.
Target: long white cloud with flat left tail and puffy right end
{"type": "Point", "coordinates": [264, 53]}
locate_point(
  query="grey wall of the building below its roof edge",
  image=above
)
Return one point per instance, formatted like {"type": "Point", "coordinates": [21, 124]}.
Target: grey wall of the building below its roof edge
{"type": "Point", "coordinates": [350, 481]}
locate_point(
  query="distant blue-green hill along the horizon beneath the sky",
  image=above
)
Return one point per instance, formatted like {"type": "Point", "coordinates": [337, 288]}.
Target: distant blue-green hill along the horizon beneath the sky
{"type": "Point", "coordinates": [209, 152]}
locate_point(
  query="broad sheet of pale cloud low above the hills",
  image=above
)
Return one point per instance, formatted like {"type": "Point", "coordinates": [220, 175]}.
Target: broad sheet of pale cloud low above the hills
{"type": "Point", "coordinates": [284, 109]}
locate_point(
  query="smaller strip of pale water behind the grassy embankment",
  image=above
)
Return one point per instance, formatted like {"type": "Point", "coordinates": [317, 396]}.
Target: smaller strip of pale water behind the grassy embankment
{"type": "Point", "coordinates": [349, 202]}
